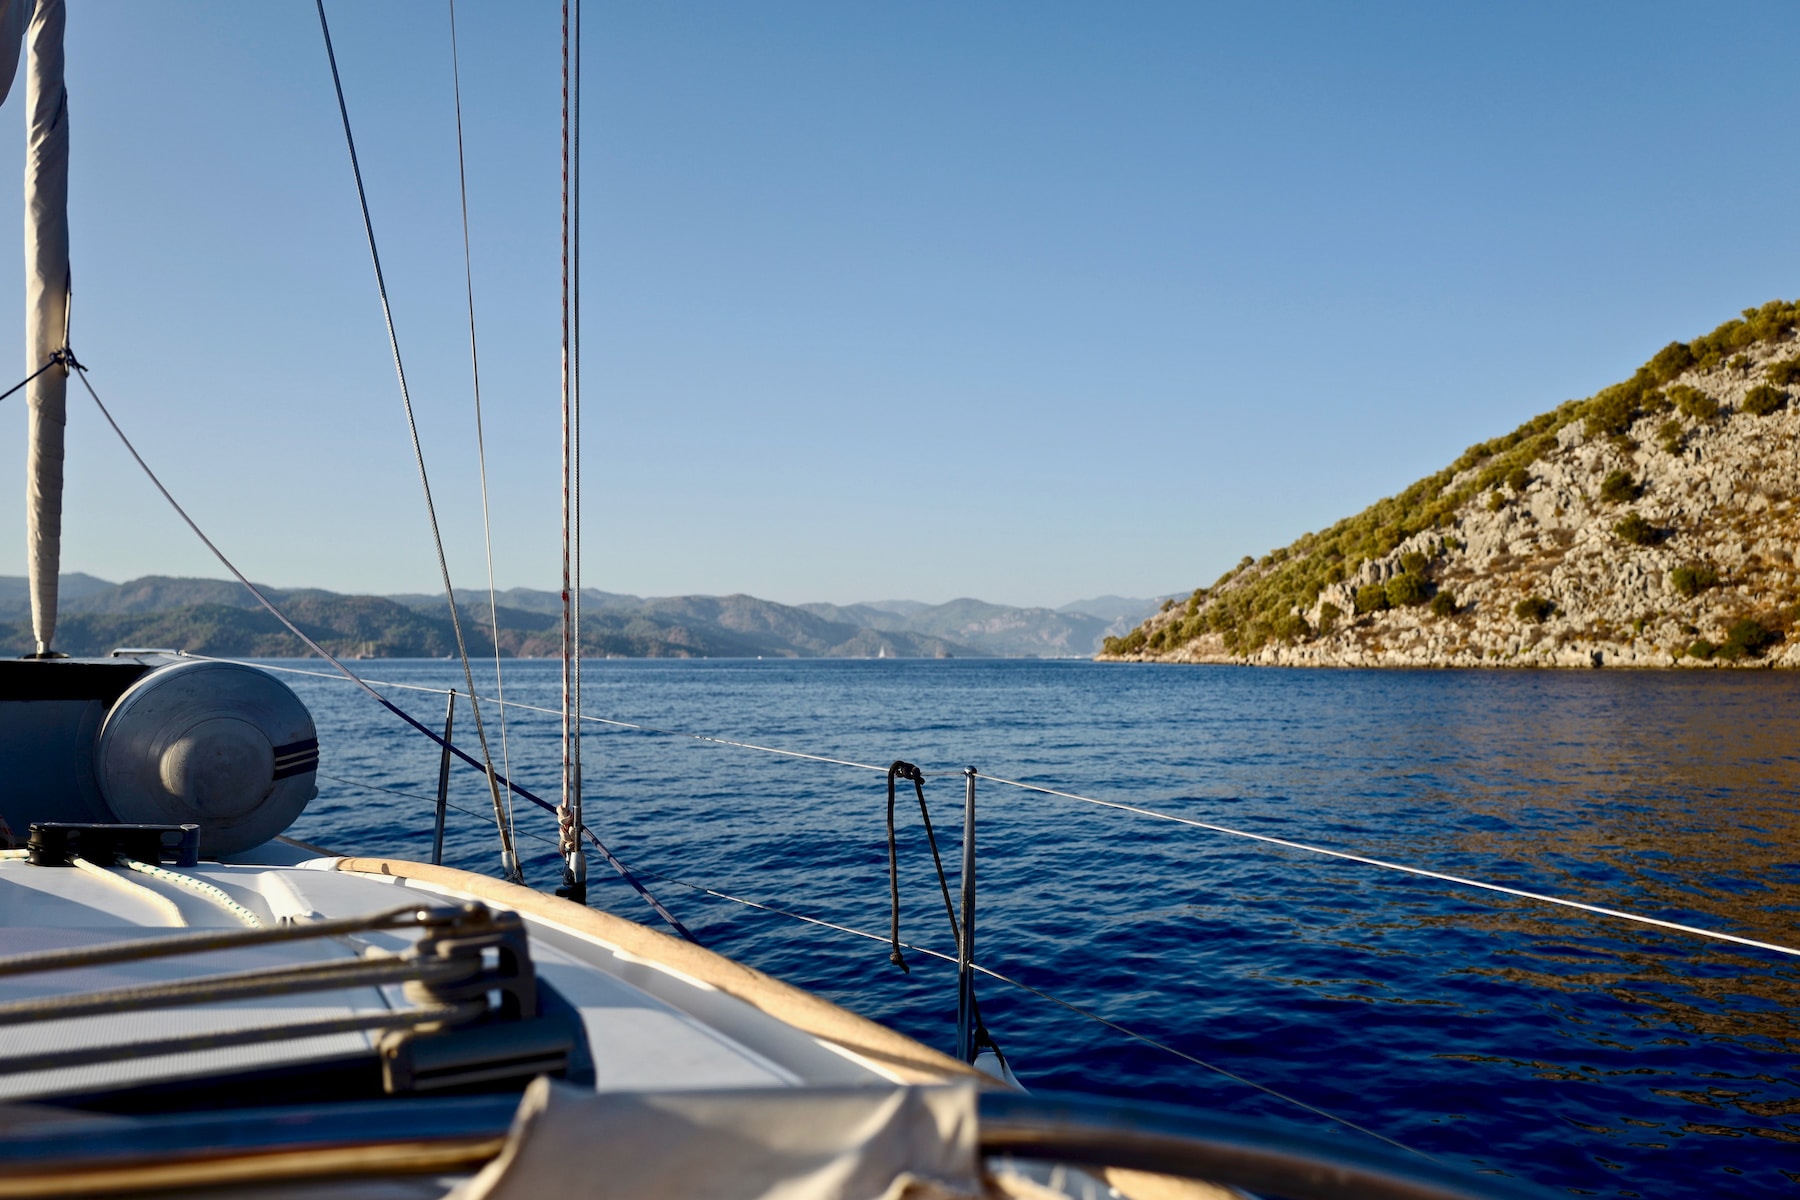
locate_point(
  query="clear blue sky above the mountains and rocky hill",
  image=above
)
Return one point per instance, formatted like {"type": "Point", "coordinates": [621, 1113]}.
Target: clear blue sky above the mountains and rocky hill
{"type": "Point", "coordinates": [1021, 301]}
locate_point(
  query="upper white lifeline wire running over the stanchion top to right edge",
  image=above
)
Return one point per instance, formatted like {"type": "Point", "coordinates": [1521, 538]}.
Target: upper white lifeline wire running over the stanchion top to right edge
{"type": "Point", "coordinates": [1144, 812]}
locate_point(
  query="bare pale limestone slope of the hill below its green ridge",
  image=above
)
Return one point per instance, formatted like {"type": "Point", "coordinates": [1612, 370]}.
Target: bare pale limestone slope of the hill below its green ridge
{"type": "Point", "coordinates": [1714, 546]}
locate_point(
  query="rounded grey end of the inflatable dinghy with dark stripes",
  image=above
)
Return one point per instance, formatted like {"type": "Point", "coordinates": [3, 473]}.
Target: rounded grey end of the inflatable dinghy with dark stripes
{"type": "Point", "coordinates": [219, 744]}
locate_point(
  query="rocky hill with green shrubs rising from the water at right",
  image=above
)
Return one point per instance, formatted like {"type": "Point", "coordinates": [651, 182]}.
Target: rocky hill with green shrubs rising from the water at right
{"type": "Point", "coordinates": [1653, 524]}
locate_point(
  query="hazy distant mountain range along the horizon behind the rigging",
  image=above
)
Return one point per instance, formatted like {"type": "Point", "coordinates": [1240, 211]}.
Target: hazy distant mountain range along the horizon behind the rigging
{"type": "Point", "coordinates": [222, 618]}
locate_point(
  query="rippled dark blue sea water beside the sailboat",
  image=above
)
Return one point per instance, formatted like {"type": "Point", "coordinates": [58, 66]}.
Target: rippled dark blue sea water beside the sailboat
{"type": "Point", "coordinates": [1570, 1052]}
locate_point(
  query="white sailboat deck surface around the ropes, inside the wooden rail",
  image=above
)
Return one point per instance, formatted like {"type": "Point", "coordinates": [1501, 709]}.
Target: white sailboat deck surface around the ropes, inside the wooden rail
{"type": "Point", "coordinates": [647, 1026]}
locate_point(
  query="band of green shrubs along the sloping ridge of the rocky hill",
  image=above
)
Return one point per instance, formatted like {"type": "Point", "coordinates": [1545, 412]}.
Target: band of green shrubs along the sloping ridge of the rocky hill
{"type": "Point", "coordinates": [1252, 602]}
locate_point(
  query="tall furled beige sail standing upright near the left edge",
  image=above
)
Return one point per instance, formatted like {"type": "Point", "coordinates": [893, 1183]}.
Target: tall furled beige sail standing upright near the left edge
{"type": "Point", "coordinates": [46, 309]}
